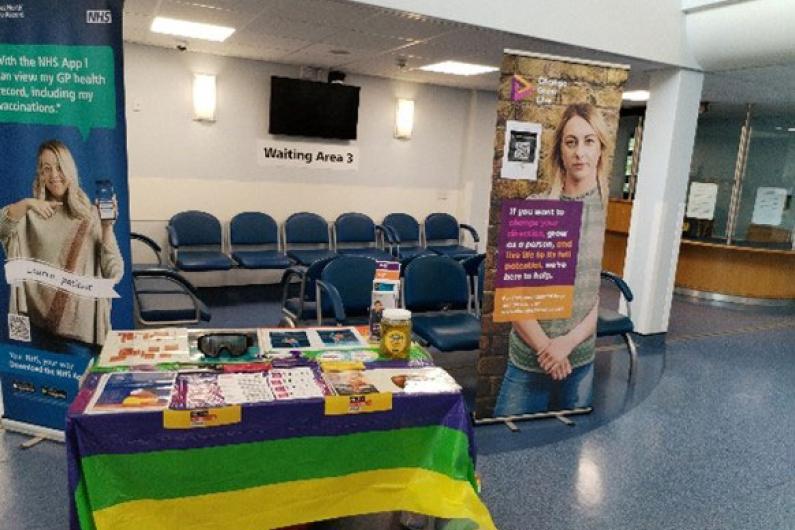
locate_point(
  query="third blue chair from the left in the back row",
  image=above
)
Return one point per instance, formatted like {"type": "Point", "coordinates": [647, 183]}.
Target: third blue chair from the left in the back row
{"type": "Point", "coordinates": [306, 238]}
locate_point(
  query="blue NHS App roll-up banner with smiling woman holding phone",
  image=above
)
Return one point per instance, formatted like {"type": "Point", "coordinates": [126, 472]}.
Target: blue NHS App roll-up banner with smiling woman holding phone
{"type": "Point", "coordinates": [64, 221]}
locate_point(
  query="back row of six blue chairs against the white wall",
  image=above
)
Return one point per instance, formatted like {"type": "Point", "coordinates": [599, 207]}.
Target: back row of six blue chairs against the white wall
{"type": "Point", "coordinates": [256, 242]}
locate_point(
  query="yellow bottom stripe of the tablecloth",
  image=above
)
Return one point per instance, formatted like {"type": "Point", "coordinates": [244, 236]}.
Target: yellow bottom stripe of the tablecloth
{"type": "Point", "coordinates": [284, 504]}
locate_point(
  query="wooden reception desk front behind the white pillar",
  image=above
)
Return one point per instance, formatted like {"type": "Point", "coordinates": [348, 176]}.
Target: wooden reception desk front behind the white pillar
{"type": "Point", "coordinates": [712, 269]}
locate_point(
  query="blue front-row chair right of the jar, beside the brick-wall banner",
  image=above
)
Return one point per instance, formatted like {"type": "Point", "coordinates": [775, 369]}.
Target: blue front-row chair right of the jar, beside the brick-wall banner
{"type": "Point", "coordinates": [435, 291]}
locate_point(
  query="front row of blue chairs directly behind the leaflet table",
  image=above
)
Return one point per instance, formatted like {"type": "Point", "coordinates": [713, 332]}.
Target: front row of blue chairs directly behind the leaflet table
{"type": "Point", "coordinates": [442, 293]}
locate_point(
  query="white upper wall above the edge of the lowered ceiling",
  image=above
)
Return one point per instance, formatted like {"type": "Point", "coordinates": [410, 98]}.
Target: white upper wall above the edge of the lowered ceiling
{"type": "Point", "coordinates": [646, 29]}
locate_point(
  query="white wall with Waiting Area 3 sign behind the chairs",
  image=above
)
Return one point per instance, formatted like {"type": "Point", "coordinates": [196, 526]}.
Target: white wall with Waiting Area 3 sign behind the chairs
{"type": "Point", "coordinates": [176, 163]}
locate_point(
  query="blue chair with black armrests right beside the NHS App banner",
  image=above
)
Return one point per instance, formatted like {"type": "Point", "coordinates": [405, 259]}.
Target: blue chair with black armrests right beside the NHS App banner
{"type": "Point", "coordinates": [163, 297]}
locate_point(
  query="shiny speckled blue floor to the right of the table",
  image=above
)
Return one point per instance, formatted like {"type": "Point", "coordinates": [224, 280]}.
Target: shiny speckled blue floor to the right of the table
{"type": "Point", "coordinates": [712, 446]}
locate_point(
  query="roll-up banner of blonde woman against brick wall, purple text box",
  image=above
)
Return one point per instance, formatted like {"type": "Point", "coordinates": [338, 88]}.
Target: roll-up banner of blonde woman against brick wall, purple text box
{"type": "Point", "coordinates": [557, 119]}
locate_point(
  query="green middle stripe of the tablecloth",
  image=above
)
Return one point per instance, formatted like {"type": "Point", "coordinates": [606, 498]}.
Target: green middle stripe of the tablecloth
{"type": "Point", "coordinates": [117, 478]}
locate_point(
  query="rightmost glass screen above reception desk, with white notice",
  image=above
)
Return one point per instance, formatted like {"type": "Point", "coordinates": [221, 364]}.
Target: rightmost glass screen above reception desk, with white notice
{"type": "Point", "coordinates": [765, 215]}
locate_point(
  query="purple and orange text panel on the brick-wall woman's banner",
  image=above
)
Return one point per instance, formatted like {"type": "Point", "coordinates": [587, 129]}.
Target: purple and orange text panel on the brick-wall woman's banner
{"type": "Point", "coordinates": [536, 259]}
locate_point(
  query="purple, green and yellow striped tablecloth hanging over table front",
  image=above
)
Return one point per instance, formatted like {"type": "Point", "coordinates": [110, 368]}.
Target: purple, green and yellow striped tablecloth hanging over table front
{"type": "Point", "coordinates": [286, 463]}
